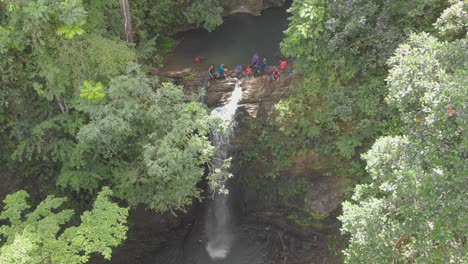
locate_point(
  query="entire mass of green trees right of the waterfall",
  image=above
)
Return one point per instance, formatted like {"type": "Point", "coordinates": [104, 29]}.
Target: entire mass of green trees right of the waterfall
{"type": "Point", "coordinates": [397, 69]}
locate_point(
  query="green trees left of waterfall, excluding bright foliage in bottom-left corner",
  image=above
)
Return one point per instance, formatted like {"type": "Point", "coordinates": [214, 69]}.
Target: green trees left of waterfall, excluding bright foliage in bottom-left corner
{"type": "Point", "coordinates": [145, 139]}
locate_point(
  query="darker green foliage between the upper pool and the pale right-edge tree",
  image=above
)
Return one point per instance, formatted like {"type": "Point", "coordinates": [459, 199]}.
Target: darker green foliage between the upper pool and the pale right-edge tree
{"type": "Point", "coordinates": [341, 48]}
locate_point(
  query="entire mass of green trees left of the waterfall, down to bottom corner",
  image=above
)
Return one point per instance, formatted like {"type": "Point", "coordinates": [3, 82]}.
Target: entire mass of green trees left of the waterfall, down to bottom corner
{"type": "Point", "coordinates": [79, 111]}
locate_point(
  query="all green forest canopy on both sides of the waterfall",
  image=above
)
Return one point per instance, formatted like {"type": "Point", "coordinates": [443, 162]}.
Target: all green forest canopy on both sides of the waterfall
{"type": "Point", "coordinates": [382, 93]}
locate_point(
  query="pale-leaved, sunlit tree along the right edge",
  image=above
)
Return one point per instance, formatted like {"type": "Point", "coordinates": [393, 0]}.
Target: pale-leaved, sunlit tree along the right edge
{"type": "Point", "coordinates": [414, 209]}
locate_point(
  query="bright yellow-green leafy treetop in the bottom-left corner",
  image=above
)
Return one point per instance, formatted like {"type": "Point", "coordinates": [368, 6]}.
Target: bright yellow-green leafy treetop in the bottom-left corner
{"type": "Point", "coordinates": [39, 236]}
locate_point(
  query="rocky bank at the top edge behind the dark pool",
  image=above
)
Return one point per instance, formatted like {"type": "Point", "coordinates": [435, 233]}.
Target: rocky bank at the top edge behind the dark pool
{"type": "Point", "coordinates": [253, 7]}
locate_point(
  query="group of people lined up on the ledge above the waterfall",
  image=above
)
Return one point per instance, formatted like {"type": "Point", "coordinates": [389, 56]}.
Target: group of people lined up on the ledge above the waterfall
{"type": "Point", "coordinates": [255, 68]}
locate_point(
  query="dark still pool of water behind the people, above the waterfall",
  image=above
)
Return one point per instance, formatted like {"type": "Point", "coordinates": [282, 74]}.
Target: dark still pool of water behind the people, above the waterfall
{"type": "Point", "coordinates": [232, 43]}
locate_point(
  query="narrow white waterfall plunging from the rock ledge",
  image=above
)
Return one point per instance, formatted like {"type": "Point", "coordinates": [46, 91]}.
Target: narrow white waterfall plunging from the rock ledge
{"type": "Point", "coordinates": [218, 221]}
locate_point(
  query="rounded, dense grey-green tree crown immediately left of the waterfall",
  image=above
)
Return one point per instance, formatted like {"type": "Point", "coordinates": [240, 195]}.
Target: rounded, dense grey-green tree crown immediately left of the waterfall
{"type": "Point", "coordinates": [150, 145]}
